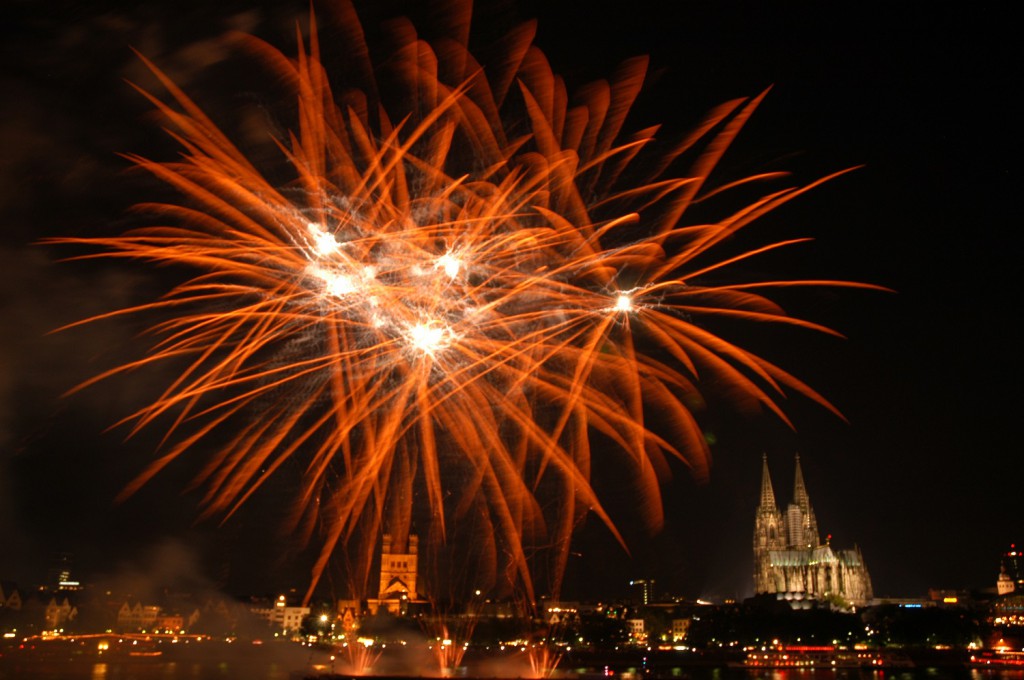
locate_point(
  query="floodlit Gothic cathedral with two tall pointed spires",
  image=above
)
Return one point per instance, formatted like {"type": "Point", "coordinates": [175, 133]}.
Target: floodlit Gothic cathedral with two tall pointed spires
{"type": "Point", "coordinates": [790, 559]}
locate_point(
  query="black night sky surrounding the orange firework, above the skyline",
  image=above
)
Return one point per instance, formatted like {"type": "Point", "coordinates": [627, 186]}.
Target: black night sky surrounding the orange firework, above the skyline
{"type": "Point", "coordinates": [926, 476]}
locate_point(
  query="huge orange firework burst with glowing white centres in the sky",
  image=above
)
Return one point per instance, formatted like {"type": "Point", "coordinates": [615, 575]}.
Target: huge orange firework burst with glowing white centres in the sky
{"type": "Point", "coordinates": [436, 299]}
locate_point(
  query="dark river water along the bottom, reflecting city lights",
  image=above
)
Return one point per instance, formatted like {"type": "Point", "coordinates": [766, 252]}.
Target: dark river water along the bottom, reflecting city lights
{"type": "Point", "coordinates": [99, 659]}
